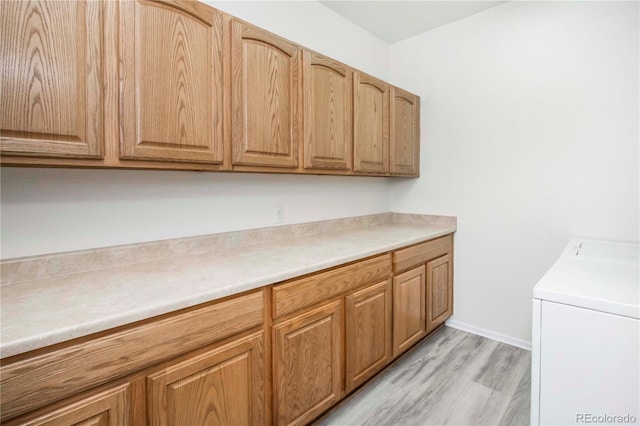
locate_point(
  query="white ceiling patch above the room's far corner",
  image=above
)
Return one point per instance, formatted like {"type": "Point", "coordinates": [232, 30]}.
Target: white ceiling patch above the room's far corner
{"type": "Point", "coordinates": [394, 20]}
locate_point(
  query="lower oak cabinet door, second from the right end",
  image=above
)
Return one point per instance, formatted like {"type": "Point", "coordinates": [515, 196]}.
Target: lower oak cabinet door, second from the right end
{"type": "Point", "coordinates": [408, 309]}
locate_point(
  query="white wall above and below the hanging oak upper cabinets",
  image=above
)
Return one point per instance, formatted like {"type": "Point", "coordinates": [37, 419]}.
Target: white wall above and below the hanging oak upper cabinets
{"type": "Point", "coordinates": [53, 210]}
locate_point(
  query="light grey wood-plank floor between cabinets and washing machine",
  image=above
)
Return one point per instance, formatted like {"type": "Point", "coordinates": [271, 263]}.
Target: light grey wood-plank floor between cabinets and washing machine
{"type": "Point", "coordinates": [450, 378]}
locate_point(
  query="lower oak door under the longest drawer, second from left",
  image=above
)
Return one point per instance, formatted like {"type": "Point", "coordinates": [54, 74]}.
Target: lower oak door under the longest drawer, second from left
{"type": "Point", "coordinates": [224, 386]}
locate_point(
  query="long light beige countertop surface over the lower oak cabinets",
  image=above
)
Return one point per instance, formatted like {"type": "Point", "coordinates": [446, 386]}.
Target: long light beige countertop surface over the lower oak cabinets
{"type": "Point", "coordinates": [41, 312]}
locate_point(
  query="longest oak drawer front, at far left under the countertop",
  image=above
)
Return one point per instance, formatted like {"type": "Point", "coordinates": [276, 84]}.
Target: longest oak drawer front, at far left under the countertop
{"type": "Point", "coordinates": [34, 382]}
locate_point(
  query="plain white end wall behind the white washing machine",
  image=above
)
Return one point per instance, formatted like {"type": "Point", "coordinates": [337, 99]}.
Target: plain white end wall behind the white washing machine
{"type": "Point", "coordinates": [529, 136]}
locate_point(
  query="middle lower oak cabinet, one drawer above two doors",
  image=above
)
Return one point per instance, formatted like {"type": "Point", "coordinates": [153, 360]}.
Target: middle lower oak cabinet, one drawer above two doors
{"type": "Point", "coordinates": [309, 374]}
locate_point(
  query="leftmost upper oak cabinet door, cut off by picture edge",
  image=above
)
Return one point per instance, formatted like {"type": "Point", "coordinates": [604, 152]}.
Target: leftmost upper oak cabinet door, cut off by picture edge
{"type": "Point", "coordinates": [51, 76]}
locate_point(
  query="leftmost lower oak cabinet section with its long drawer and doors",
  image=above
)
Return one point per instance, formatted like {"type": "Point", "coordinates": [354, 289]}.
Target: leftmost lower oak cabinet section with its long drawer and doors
{"type": "Point", "coordinates": [205, 362]}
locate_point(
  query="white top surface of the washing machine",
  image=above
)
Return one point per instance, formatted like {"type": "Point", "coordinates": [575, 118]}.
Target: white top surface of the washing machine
{"type": "Point", "coordinates": [599, 275]}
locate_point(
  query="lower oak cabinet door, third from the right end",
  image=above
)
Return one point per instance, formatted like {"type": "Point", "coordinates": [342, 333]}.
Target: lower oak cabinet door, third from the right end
{"type": "Point", "coordinates": [368, 333]}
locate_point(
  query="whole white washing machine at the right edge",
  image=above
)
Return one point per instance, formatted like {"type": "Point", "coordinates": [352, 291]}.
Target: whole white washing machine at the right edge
{"type": "Point", "coordinates": [586, 337]}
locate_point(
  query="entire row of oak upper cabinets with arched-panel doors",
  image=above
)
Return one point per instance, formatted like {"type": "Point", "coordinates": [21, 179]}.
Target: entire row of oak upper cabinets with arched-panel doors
{"type": "Point", "coordinates": [177, 84]}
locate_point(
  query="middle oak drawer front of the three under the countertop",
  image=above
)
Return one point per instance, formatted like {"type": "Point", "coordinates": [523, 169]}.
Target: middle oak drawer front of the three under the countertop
{"type": "Point", "coordinates": [298, 294]}
